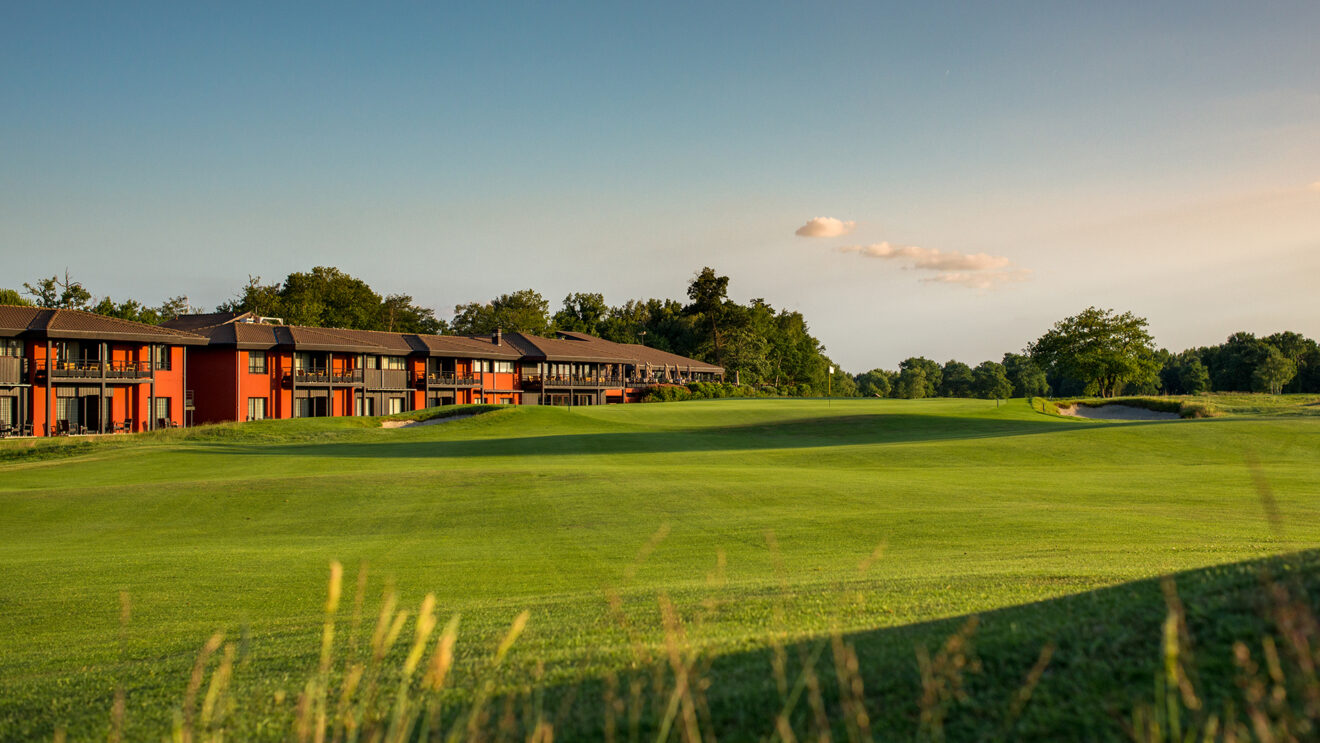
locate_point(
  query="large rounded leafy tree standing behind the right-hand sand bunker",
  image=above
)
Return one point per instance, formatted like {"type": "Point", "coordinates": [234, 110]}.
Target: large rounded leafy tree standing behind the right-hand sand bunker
{"type": "Point", "coordinates": [1102, 350]}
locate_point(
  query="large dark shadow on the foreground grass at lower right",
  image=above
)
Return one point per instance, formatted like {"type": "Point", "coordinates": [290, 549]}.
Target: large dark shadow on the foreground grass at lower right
{"type": "Point", "coordinates": [1107, 657]}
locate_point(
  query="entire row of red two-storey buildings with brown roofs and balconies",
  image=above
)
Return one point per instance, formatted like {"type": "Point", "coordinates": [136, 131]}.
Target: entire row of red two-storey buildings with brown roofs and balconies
{"type": "Point", "coordinates": [76, 373]}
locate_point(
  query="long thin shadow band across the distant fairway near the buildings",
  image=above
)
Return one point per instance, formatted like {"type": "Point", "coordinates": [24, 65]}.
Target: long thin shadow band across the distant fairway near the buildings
{"type": "Point", "coordinates": [805, 434]}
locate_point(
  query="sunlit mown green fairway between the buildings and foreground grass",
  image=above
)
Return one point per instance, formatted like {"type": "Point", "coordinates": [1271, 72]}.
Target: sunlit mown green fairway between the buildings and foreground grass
{"type": "Point", "coordinates": [770, 515]}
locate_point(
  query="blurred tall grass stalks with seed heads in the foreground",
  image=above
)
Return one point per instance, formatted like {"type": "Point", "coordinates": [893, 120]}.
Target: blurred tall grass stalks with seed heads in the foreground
{"type": "Point", "coordinates": [394, 680]}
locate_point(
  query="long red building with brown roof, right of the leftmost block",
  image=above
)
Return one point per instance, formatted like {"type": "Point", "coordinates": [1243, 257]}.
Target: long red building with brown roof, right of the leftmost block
{"type": "Point", "coordinates": [254, 369]}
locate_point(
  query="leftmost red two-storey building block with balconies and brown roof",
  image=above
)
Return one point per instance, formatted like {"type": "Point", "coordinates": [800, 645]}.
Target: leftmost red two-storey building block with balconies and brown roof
{"type": "Point", "coordinates": [71, 371]}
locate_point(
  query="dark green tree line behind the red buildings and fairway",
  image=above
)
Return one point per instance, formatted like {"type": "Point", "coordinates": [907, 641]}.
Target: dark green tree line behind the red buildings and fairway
{"type": "Point", "coordinates": [1098, 352]}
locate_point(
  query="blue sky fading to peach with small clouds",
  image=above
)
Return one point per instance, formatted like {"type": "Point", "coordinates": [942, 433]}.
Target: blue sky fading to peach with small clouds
{"type": "Point", "coordinates": [981, 172]}
